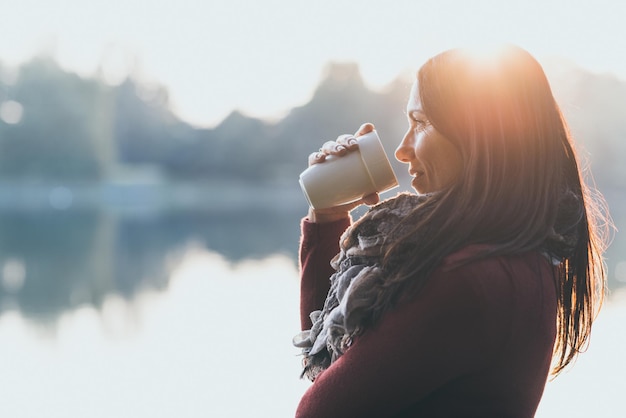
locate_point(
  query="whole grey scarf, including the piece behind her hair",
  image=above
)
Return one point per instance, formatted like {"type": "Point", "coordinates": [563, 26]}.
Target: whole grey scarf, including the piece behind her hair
{"type": "Point", "coordinates": [358, 278]}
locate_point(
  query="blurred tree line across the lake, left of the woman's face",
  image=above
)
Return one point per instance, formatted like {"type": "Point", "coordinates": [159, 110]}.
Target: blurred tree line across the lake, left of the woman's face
{"type": "Point", "coordinates": [72, 128]}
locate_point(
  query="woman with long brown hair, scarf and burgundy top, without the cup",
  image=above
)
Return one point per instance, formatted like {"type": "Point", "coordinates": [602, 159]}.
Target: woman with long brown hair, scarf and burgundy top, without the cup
{"type": "Point", "coordinates": [458, 300]}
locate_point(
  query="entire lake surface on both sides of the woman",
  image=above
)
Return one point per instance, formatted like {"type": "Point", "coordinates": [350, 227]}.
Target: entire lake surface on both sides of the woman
{"type": "Point", "coordinates": [189, 315]}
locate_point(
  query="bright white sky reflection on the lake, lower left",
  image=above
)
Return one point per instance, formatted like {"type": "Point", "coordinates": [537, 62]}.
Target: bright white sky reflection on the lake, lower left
{"type": "Point", "coordinates": [221, 332]}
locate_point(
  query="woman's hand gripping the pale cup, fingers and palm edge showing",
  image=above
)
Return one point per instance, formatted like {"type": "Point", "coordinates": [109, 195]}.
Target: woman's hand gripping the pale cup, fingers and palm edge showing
{"type": "Point", "coordinates": [343, 145]}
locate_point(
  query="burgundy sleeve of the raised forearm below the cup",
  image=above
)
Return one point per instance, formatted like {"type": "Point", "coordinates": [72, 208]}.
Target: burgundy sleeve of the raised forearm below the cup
{"type": "Point", "coordinates": [319, 243]}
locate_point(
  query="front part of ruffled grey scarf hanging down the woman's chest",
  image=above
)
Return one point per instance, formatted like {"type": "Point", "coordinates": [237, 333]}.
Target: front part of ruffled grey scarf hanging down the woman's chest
{"type": "Point", "coordinates": [354, 285]}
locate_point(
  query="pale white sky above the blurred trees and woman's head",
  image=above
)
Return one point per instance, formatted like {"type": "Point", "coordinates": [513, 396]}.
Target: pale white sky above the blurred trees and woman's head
{"type": "Point", "coordinates": [263, 57]}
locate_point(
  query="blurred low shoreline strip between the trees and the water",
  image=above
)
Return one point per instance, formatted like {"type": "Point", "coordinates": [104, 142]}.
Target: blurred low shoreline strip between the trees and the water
{"type": "Point", "coordinates": [155, 195]}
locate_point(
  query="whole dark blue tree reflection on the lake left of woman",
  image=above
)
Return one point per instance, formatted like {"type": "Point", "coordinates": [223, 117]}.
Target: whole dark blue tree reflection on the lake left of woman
{"type": "Point", "coordinates": [53, 261]}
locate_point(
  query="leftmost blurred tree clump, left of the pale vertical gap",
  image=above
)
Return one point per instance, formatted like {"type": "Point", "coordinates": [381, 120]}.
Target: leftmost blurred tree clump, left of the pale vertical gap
{"type": "Point", "coordinates": [55, 133]}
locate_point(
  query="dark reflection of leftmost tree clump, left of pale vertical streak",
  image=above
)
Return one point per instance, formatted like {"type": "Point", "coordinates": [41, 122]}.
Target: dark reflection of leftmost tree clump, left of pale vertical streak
{"type": "Point", "coordinates": [48, 258]}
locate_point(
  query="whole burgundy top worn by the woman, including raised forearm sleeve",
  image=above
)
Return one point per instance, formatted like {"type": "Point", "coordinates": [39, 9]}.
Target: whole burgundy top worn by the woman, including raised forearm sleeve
{"type": "Point", "coordinates": [477, 341]}
